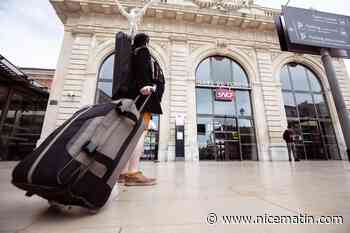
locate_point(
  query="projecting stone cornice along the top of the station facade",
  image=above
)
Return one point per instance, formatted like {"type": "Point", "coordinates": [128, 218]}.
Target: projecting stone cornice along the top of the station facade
{"type": "Point", "coordinates": [187, 13]}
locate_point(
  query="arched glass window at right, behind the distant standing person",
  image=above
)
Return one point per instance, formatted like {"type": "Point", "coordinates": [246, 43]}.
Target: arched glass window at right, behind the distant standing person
{"type": "Point", "coordinates": [308, 114]}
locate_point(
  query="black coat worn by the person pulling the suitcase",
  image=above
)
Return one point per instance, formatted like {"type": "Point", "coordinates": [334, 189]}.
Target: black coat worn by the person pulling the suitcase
{"type": "Point", "coordinates": [142, 75]}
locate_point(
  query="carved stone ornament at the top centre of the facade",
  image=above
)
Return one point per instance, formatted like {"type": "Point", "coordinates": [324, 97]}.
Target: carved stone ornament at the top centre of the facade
{"type": "Point", "coordinates": [225, 5]}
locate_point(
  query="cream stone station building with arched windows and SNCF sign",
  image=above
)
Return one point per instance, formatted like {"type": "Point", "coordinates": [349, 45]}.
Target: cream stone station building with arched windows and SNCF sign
{"type": "Point", "coordinates": [226, 77]}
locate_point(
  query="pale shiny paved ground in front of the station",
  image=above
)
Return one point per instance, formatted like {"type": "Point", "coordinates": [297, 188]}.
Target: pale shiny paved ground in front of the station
{"type": "Point", "coordinates": [188, 192]}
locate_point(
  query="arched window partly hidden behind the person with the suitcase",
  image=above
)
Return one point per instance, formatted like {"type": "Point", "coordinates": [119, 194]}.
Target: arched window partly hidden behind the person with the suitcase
{"type": "Point", "coordinates": [104, 95]}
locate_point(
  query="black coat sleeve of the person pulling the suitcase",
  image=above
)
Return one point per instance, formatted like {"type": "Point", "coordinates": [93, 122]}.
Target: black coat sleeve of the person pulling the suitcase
{"type": "Point", "coordinates": [143, 68]}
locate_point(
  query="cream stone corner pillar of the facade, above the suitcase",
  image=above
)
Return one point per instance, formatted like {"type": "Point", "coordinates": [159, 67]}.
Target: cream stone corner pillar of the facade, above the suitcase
{"type": "Point", "coordinates": [68, 93]}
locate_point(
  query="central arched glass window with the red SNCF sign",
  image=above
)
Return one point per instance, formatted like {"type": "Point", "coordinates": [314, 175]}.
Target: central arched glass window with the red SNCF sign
{"type": "Point", "coordinates": [225, 127]}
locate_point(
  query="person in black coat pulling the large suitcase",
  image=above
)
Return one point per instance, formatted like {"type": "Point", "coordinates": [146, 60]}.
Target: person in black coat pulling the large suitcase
{"type": "Point", "coordinates": [144, 79]}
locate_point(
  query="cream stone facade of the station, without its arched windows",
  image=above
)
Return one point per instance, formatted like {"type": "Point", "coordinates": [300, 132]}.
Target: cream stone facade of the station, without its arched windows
{"type": "Point", "coordinates": [182, 35]}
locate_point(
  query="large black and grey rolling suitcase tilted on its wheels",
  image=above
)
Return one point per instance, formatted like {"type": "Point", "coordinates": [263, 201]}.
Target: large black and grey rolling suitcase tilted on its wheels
{"type": "Point", "coordinates": [80, 162]}
